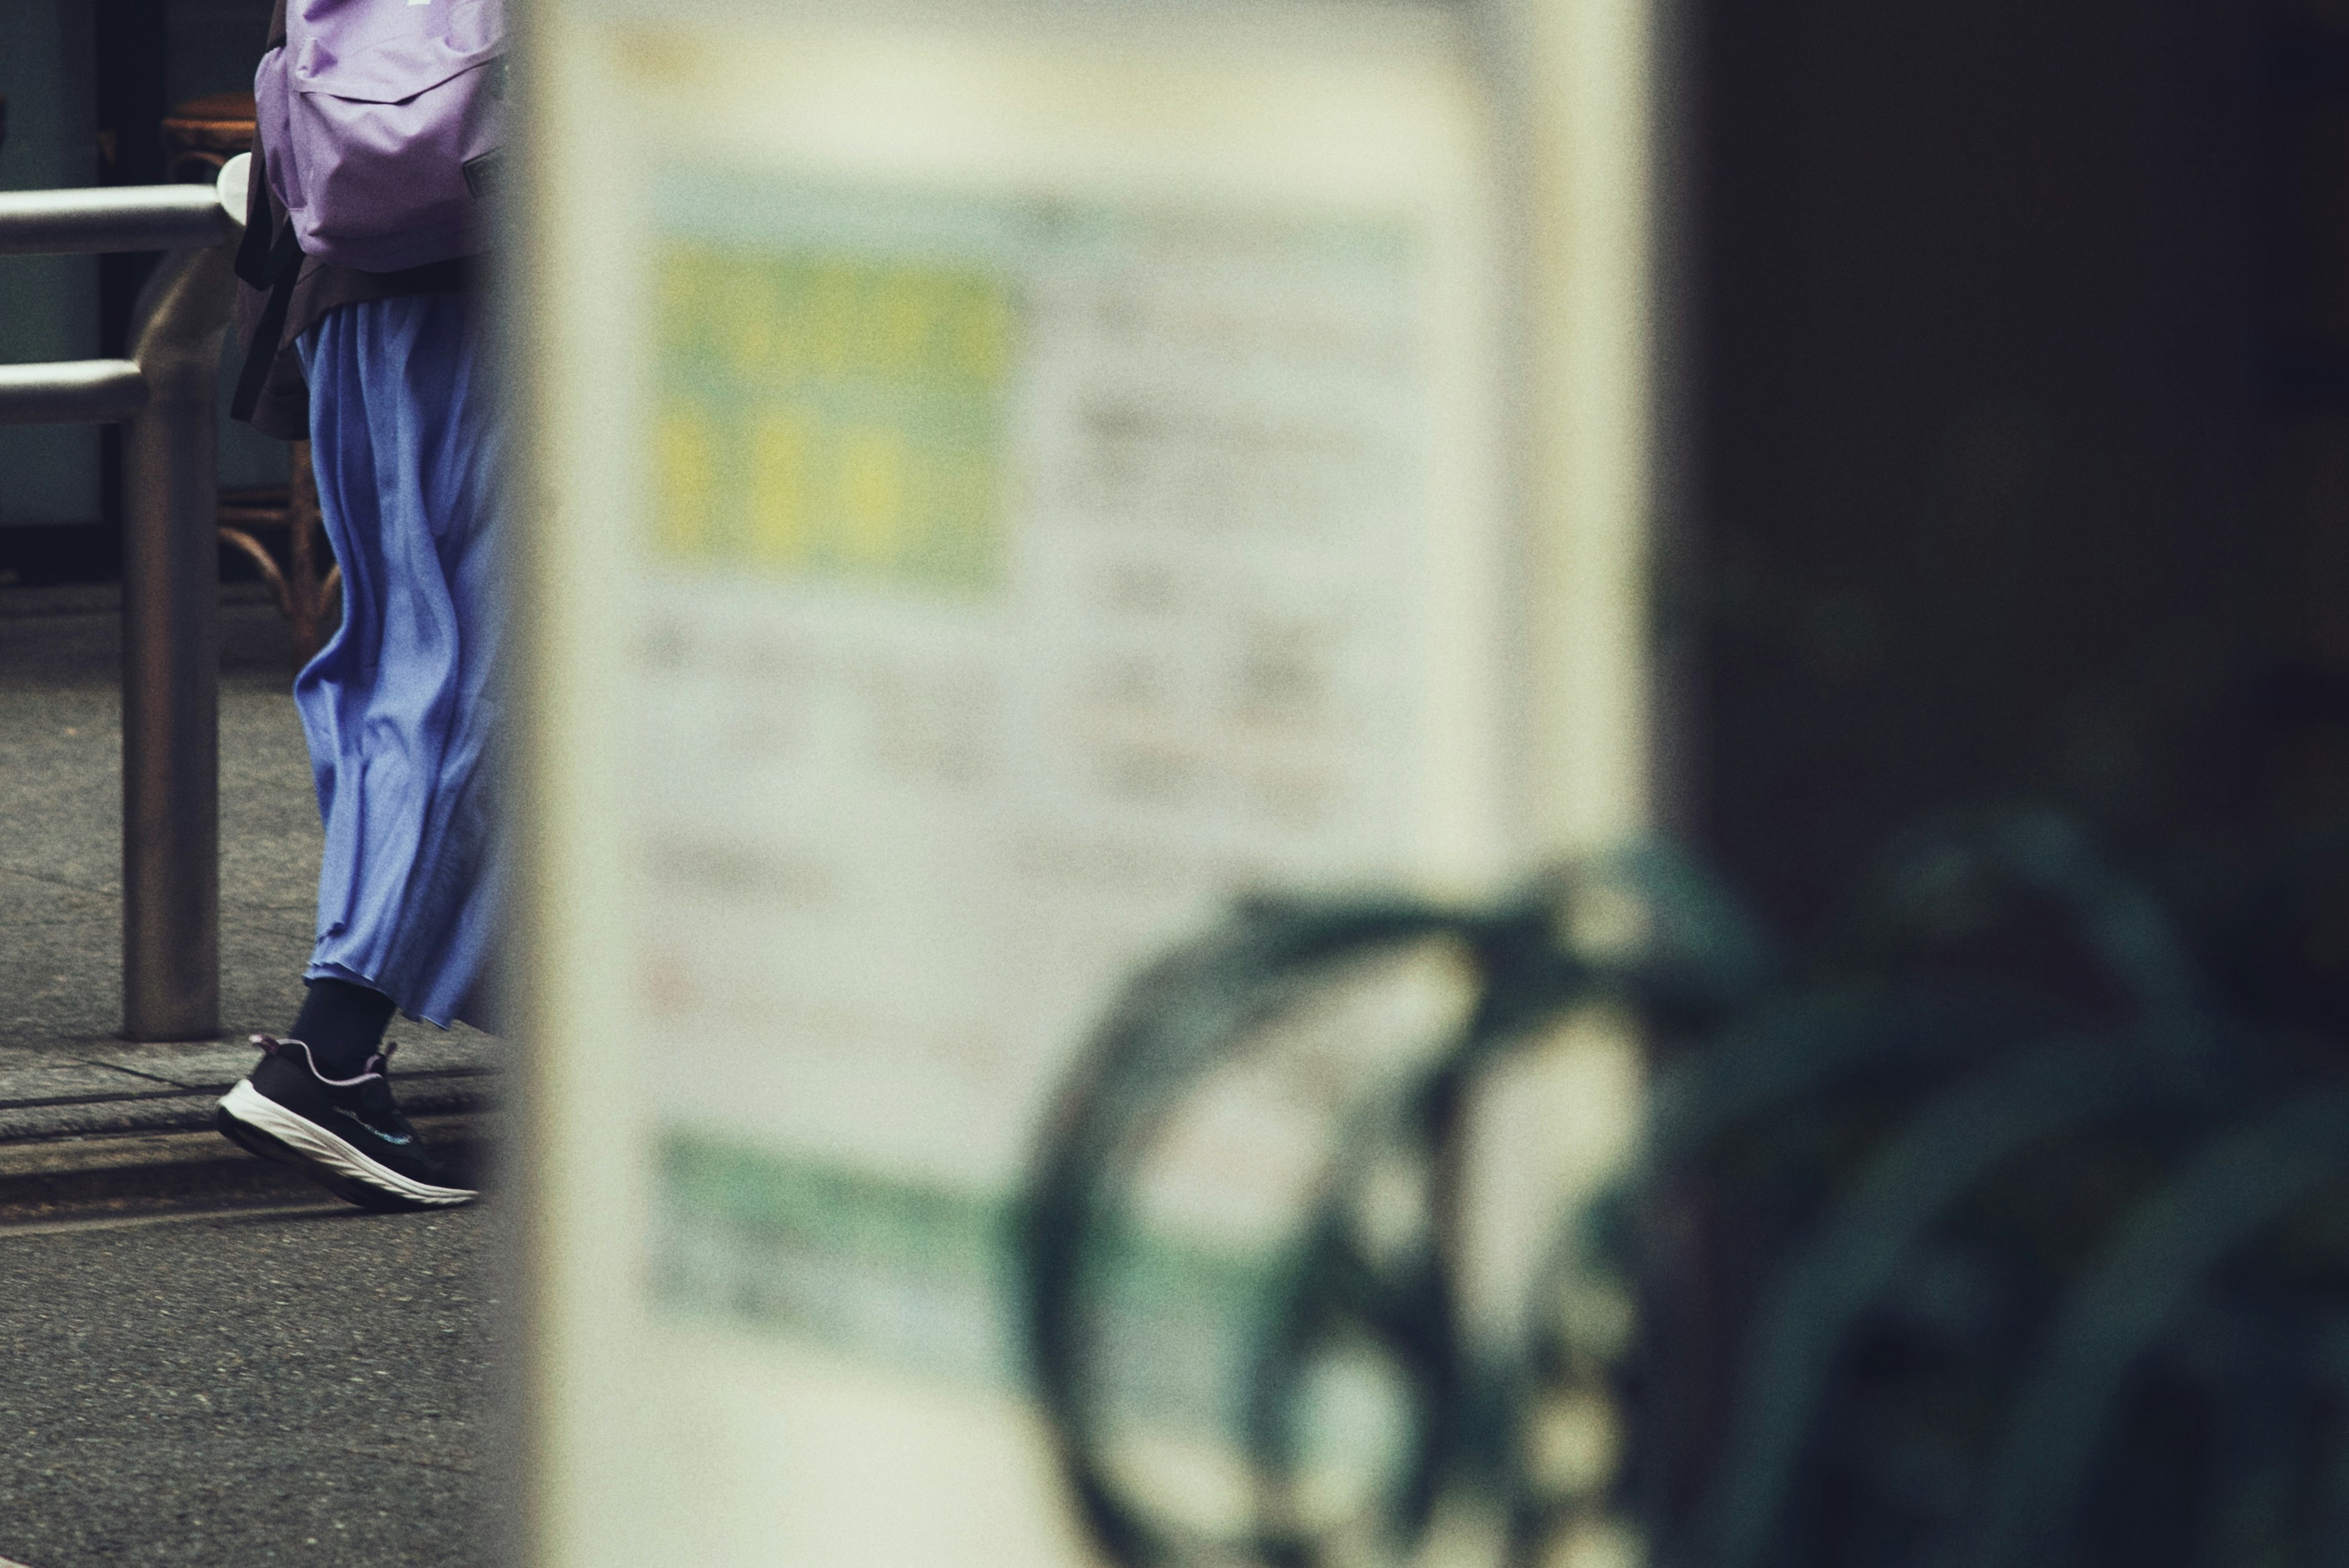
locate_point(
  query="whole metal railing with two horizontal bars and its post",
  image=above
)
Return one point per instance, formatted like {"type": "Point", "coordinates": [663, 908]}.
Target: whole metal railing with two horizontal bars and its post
{"type": "Point", "coordinates": [168, 396]}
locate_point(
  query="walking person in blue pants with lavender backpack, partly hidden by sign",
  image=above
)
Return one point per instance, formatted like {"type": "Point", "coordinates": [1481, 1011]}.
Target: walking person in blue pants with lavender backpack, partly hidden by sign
{"type": "Point", "coordinates": [386, 373]}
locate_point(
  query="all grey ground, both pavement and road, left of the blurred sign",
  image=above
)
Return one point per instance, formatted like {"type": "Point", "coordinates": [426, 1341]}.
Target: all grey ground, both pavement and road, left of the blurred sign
{"type": "Point", "coordinates": [257, 1391]}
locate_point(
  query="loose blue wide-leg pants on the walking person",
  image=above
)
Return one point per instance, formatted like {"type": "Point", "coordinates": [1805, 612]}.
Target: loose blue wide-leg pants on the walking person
{"type": "Point", "coordinates": [403, 706]}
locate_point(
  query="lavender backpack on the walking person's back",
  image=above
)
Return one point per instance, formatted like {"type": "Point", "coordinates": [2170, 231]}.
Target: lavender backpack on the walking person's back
{"type": "Point", "coordinates": [382, 123]}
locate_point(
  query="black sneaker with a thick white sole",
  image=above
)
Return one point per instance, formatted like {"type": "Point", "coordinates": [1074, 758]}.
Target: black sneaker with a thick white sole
{"type": "Point", "coordinates": [346, 1134]}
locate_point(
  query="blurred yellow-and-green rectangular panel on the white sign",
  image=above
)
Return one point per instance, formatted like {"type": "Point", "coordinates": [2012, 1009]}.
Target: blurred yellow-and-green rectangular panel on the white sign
{"type": "Point", "coordinates": [830, 417]}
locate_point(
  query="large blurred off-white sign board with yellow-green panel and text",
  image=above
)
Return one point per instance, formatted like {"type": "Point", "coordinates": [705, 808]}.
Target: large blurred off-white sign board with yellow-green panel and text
{"type": "Point", "coordinates": [1007, 481]}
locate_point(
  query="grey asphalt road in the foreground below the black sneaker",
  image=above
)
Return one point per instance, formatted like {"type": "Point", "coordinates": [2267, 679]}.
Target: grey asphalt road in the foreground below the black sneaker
{"type": "Point", "coordinates": [257, 1391]}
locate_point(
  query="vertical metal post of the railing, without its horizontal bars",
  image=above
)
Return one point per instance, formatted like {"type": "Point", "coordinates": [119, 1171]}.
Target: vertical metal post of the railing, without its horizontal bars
{"type": "Point", "coordinates": [173, 657]}
